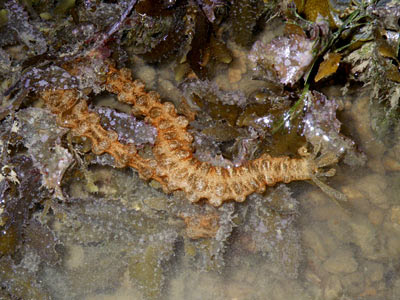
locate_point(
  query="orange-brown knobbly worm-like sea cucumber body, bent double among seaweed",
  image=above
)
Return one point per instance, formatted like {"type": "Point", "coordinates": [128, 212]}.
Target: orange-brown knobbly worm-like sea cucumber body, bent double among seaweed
{"type": "Point", "coordinates": [173, 166]}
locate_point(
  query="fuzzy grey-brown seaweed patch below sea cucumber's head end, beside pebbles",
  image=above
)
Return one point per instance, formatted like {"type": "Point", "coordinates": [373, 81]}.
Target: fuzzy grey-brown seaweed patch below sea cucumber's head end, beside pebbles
{"type": "Point", "coordinates": [268, 229]}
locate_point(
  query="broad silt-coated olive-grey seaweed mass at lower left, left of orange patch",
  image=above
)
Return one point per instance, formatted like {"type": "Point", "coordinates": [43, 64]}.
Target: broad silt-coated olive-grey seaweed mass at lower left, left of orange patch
{"type": "Point", "coordinates": [121, 238]}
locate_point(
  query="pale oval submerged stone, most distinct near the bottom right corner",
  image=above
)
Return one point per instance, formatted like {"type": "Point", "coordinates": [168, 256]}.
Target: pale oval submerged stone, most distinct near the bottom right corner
{"type": "Point", "coordinates": [342, 261]}
